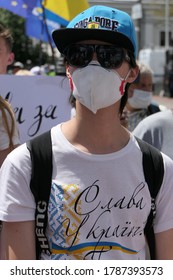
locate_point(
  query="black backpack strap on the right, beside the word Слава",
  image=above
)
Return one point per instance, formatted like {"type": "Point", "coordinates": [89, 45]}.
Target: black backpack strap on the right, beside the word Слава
{"type": "Point", "coordinates": [153, 171]}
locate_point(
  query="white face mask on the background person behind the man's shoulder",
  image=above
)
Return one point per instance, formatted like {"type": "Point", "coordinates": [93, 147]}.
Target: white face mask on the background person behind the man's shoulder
{"type": "Point", "coordinates": [141, 99]}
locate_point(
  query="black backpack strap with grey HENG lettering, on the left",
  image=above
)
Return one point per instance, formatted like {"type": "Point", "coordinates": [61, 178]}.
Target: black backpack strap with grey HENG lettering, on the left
{"type": "Point", "coordinates": [40, 148]}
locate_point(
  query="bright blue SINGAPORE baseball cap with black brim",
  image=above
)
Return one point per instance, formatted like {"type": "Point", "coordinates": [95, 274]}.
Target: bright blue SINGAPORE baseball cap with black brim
{"type": "Point", "coordinates": [98, 23]}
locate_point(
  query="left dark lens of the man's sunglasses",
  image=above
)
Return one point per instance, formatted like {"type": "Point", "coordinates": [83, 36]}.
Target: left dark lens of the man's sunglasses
{"type": "Point", "coordinates": [79, 55]}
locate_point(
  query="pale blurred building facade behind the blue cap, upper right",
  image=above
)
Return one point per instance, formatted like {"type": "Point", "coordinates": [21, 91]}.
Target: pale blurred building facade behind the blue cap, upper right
{"type": "Point", "coordinates": [153, 20]}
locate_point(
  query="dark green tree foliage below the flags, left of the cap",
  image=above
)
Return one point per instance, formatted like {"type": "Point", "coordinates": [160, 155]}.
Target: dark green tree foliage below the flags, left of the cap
{"type": "Point", "coordinates": [24, 47]}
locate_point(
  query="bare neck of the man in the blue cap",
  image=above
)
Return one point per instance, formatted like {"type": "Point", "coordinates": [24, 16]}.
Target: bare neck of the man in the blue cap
{"type": "Point", "coordinates": [96, 134]}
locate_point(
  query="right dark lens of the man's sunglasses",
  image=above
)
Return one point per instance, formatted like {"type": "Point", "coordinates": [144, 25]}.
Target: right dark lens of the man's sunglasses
{"type": "Point", "coordinates": [110, 57]}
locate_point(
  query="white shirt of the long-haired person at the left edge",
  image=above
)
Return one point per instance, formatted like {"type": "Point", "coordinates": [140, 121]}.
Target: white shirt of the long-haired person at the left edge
{"type": "Point", "coordinates": [4, 138]}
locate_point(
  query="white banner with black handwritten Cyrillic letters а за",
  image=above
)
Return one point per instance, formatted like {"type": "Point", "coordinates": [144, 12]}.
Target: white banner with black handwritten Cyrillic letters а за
{"type": "Point", "coordinates": [39, 102]}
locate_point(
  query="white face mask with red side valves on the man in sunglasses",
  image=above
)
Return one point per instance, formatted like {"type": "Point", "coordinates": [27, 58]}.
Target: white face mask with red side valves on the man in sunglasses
{"type": "Point", "coordinates": [96, 87]}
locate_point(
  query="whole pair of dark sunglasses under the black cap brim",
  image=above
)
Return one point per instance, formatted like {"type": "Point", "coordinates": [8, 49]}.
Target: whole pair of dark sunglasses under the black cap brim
{"type": "Point", "coordinates": [108, 56]}
